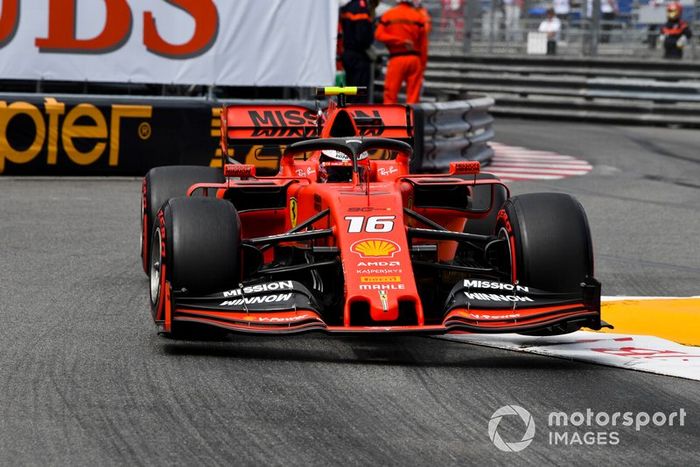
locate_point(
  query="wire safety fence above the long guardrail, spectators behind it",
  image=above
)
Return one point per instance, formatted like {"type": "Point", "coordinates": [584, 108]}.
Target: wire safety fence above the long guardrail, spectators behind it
{"type": "Point", "coordinates": [496, 27]}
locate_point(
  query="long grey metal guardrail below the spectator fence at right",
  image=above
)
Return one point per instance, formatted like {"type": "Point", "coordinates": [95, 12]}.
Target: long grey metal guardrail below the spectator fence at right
{"type": "Point", "coordinates": [625, 91]}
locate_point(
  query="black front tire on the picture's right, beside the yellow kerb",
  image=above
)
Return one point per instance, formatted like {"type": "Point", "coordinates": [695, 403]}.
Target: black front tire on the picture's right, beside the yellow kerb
{"type": "Point", "coordinates": [551, 247]}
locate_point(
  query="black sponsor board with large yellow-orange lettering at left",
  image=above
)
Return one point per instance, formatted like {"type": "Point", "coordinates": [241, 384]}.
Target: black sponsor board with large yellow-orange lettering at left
{"type": "Point", "coordinates": [96, 135]}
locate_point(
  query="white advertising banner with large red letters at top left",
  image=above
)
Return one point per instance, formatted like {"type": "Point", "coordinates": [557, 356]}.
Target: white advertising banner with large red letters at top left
{"type": "Point", "coordinates": [207, 42]}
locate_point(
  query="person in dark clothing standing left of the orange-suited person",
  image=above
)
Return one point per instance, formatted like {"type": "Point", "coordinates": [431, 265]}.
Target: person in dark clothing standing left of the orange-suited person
{"type": "Point", "coordinates": [358, 36]}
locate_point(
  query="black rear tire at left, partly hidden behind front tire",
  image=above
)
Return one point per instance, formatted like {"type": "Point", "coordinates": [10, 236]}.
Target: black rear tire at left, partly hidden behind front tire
{"type": "Point", "coordinates": [162, 183]}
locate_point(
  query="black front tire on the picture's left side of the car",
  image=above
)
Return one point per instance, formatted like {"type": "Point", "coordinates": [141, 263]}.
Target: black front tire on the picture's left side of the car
{"type": "Point", "coordinates": [197, 245]}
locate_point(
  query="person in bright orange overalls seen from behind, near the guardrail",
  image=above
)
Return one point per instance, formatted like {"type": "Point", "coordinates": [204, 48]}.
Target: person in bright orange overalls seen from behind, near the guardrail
{"type": "Point", "coordinates": [404, 32]}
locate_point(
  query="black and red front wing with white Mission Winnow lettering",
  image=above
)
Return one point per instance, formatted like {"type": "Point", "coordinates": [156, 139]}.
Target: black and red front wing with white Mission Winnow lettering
{"type": "Point", "coordinates": [286, 307]}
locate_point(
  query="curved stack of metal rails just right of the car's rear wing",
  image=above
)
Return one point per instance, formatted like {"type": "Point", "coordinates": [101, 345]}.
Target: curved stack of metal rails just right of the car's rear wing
{"type": "Point", "coordinates": [452, 131]}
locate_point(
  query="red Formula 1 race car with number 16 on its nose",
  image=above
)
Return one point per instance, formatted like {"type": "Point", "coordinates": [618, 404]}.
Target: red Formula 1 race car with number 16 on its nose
{"type": "Point", "coordinates": [344, 239]}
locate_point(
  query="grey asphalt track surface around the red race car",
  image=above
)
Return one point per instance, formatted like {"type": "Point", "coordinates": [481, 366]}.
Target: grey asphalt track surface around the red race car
{"type": "Point", "coordinates": [84, 379]}
